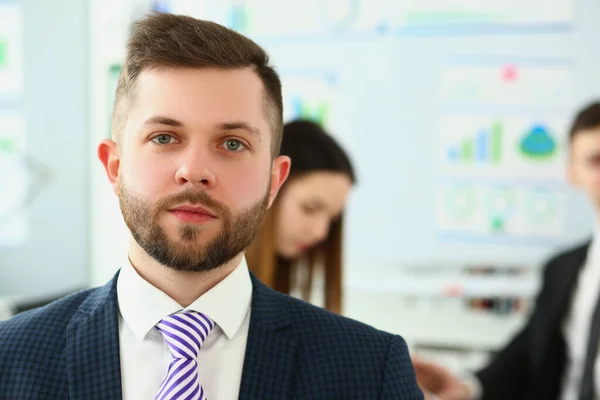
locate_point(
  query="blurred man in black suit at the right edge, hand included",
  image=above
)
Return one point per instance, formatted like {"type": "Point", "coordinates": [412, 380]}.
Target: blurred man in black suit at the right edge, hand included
{"type": "Point", "coordinates": [555, 355]}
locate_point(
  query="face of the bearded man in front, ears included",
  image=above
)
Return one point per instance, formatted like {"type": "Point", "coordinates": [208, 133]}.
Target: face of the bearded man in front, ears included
{"type": "Point", "coordinates": [194, 169]}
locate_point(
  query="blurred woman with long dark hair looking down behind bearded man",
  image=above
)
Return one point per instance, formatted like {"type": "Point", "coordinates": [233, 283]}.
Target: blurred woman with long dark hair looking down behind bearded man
{"type": "Point", "coordinates": [302, 232]}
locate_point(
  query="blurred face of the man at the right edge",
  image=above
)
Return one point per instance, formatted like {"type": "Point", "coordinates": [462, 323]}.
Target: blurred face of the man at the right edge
{"type": "Point", "coordinates": [584, 167]}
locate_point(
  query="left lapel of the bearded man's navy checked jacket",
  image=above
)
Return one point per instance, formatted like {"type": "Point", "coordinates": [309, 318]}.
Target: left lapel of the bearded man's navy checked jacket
{"type": "Point", "coordinates": [92, 347]}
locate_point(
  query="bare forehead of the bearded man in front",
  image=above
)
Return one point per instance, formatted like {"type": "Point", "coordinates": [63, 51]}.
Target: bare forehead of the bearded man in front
{"type": "Point", "coordinates": [200, 96]}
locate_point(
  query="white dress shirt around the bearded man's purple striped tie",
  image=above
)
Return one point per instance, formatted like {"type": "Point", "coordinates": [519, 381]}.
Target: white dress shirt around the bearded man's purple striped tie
{"type": "Point", "coordinates": [144, 354]}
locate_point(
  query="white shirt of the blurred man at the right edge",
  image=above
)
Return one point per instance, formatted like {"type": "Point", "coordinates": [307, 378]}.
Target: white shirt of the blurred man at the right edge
{"type": "Point", "coordinates": [577, 324]}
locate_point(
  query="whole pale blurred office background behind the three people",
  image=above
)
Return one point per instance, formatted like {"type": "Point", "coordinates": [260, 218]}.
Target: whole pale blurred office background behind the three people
{"type": "Point", "coordinates": [455, 113]}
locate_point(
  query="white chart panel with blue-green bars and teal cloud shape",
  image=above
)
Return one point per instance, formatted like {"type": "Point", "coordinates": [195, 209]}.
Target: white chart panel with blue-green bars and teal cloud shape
{"type": "Point", "coordinates": [492, 146]}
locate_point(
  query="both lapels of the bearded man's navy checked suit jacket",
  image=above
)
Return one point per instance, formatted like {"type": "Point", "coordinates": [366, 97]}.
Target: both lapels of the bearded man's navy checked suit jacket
{"type": "Point", "coordinates": [92, 340]}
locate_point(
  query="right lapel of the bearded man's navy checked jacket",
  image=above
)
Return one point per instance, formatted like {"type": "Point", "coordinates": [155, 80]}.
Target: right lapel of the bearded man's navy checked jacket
{"type": "Point", "coordinates": [271, 349]}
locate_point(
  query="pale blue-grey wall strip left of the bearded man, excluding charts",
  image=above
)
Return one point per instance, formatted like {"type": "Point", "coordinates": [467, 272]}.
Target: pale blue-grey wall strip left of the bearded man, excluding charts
{"type": "Point", "coordinates": [52, 257]}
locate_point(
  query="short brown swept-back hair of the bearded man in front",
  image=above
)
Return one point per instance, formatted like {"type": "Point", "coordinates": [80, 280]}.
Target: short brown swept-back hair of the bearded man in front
{"type": "Point", "coordinates": [175, 41]}
